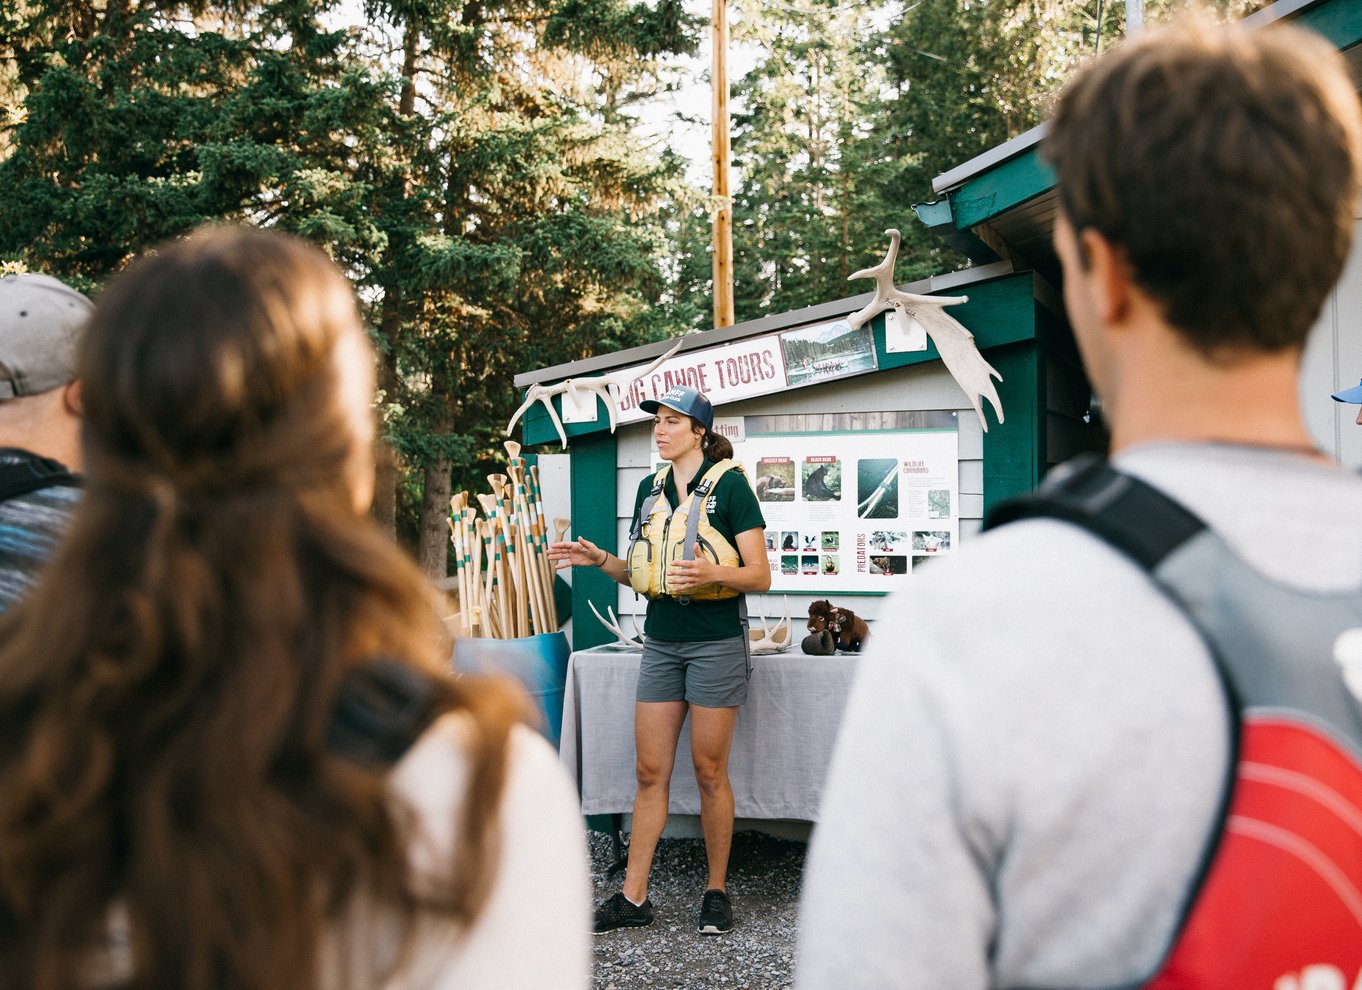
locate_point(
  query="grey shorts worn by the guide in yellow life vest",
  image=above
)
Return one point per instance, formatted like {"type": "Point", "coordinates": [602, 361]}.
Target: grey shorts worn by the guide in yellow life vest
{"type": "Point", "coordinates": [712, 675]}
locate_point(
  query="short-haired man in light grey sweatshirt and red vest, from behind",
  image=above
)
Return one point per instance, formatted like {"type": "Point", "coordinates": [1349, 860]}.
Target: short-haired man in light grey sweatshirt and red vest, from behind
{"type": "Point", "coordinates": [1115, 743]}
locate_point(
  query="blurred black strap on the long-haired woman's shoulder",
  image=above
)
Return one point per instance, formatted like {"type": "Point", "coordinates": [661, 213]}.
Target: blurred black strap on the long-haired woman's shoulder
{"type": "Point", "coordinates": [382, 710]}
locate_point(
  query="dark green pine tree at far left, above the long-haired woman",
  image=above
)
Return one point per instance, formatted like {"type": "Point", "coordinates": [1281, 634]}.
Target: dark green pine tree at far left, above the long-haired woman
{"type": "Point", "coordinates": [137, 123]}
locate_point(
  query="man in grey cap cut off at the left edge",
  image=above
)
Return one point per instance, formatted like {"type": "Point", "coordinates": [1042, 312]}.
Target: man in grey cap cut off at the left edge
{"type": "Point", "coordinates": [42, 323]}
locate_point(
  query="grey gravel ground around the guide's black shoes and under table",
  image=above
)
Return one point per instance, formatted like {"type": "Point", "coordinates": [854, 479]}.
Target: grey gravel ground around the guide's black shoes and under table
{"type": "Point", "coordinates": [765, 876]}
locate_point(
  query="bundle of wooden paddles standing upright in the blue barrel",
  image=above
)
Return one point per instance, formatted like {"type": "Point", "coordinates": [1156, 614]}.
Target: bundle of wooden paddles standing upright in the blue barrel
{"type": "Point", "coordinates": [502, 562]}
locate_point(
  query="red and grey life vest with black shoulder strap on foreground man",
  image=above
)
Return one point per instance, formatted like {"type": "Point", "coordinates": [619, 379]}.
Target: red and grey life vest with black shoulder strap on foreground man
{"type": "Point", "coordinates": [1278, 902]}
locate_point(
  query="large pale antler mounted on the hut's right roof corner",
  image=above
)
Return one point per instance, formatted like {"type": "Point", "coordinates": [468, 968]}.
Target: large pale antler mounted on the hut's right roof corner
{"type": "Point", "coordinates": [954, 342]}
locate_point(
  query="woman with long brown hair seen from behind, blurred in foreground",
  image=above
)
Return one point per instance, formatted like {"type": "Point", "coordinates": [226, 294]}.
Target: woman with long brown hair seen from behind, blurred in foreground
{"type": "Point", "coordinates": [231, 756]}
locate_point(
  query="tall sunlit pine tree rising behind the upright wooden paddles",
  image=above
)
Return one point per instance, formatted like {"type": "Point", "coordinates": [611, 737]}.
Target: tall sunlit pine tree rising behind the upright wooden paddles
{"type": "Point", "coordinates": [528, 227]}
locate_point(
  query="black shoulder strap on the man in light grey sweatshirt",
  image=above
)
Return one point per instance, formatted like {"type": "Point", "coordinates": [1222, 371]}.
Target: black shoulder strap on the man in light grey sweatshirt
{"type": "Point", "coordinates": [1124, 511]}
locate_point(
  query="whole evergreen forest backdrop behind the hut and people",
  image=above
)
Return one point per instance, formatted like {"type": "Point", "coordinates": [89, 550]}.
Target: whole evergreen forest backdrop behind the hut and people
{"type": "Point", "coordinates": [491, 174]}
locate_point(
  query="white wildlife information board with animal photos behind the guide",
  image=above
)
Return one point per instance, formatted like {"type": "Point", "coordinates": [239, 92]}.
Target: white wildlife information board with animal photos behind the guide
{"type": "Point", "coordinates": [853, 511]}
